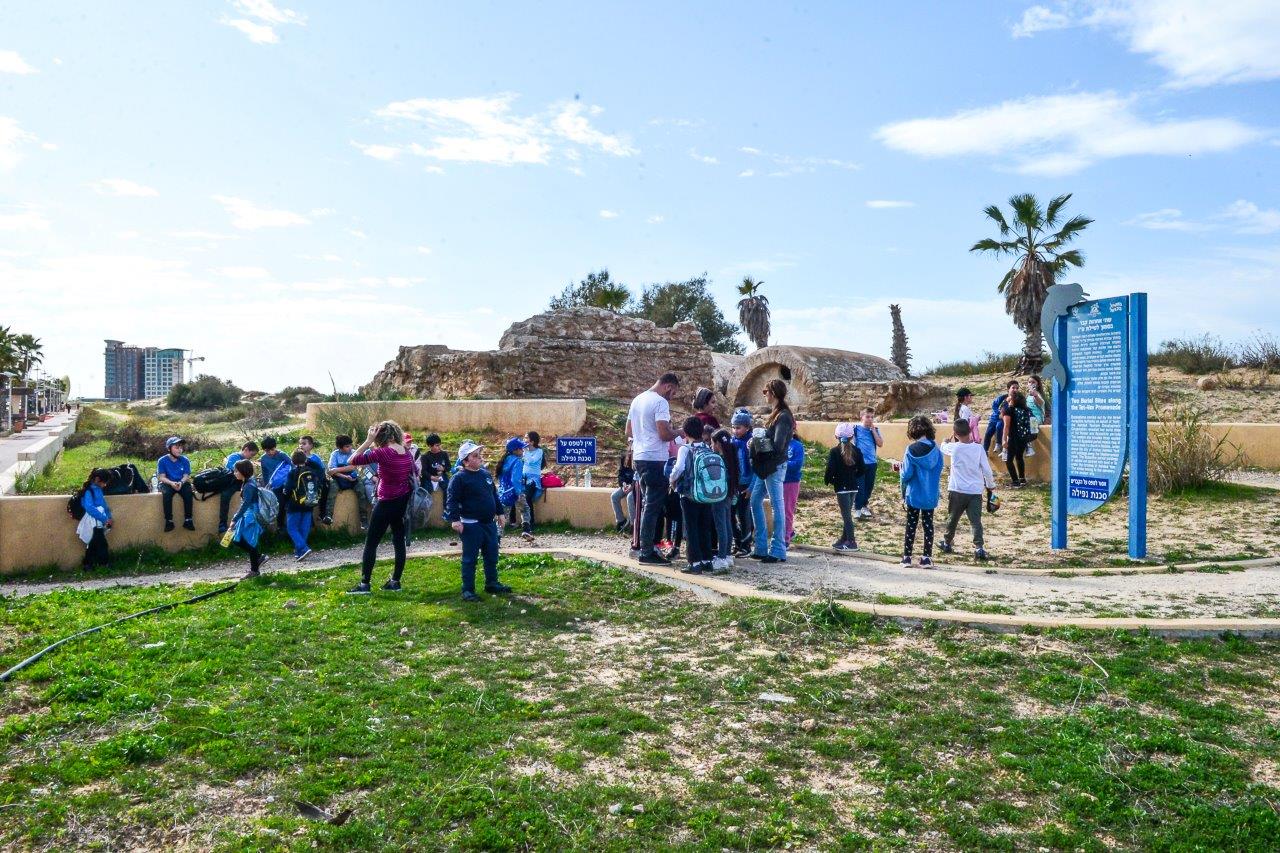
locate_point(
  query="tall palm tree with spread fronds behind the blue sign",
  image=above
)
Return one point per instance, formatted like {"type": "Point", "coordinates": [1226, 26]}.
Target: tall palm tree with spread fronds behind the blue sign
{"type": "Point", "coordinates": [1040, 257]}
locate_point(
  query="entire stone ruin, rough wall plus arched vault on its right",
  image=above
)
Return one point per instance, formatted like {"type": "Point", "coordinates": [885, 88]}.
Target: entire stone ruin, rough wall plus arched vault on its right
{"type": "Point", "coordinates": [595, 353]}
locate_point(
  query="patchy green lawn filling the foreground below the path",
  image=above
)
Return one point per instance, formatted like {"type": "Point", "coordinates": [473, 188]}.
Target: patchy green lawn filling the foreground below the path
{"type": "Point", "coordinates": [600, 711]}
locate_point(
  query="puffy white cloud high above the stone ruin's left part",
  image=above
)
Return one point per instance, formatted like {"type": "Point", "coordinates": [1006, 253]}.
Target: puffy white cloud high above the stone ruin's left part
{"type": "Point", "coordinates": [486, 130]}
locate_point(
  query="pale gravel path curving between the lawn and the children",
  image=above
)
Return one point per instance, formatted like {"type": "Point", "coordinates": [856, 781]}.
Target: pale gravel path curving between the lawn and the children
{"type": "Point", "coordinates": [1254, 592]}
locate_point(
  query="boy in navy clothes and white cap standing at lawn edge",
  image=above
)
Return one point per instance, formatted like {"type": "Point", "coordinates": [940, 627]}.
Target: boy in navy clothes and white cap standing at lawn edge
{"type": "Point", "coordinates": [473, 510]}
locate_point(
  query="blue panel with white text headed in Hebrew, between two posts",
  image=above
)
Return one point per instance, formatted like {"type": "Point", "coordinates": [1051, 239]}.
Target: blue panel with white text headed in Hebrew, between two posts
{"type": "Point", "coordinates": [1096, 402]}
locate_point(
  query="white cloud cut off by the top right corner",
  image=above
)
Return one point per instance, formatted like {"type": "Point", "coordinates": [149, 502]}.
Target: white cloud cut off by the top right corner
{"type": "Point", "coordinates": [1200, 43]}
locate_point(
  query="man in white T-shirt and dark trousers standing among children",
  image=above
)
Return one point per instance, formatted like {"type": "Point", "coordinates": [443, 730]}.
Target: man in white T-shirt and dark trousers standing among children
{"type": "Point", "coordinates": [650, 431]}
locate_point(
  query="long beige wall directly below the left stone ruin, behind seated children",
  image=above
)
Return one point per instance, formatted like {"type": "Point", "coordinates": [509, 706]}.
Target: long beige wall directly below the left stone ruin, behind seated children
{"type": "Point", "coordinates": [515, 417]}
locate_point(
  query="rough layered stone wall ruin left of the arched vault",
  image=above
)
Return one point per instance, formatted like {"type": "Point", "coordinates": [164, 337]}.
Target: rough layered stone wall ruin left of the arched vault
{"type": "Point", "coordinates": [577, 353]}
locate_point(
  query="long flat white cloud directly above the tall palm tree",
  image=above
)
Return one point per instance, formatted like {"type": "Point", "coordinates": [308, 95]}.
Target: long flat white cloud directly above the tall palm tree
{"type": "Point", "coordinates": [1063, 134]}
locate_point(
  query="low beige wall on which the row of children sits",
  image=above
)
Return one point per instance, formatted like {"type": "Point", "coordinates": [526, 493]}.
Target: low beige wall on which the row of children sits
{"type": "Point", "coordinates": [36, 532]}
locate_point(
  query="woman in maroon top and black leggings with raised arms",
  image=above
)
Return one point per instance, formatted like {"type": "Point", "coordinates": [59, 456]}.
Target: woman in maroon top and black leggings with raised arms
{"type": "Point", "coordinates": [396, 468]}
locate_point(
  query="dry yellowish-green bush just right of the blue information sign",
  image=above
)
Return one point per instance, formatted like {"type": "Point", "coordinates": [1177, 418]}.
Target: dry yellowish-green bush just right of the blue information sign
{"type": "Point", "coordinates": [1182, 454]}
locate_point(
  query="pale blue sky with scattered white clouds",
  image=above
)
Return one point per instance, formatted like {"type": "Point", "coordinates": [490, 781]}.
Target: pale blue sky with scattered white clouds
{"type": "Point", "coordinates": [295, 189]}
